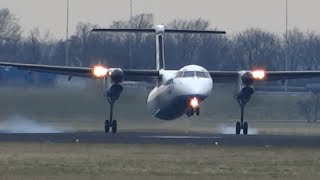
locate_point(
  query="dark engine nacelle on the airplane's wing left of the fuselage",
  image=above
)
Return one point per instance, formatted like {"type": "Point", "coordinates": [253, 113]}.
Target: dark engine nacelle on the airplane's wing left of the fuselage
{"type": "Point", "coordinates": [113, 84]}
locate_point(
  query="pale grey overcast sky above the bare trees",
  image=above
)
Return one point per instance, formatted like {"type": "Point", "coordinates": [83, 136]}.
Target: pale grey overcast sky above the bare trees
{"type": "Point", "coordinates": [230, 15]}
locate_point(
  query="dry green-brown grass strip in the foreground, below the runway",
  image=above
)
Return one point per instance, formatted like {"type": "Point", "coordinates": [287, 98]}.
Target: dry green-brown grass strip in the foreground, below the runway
{"type": "Point", "coordinates": [117, 161]}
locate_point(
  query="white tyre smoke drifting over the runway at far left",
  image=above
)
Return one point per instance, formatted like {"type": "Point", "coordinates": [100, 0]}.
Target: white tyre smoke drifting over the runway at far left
{"type": "Point", "coordinates": [19, 124]}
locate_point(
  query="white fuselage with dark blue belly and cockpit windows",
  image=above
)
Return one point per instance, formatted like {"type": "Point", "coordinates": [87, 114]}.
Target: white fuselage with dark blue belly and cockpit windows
{"type": "Point", "coordinates": [170, 99]}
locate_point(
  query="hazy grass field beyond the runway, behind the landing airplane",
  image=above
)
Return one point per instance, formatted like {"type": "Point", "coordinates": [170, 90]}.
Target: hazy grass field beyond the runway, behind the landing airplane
{"type": "Point", "coordinates": [86, 110]}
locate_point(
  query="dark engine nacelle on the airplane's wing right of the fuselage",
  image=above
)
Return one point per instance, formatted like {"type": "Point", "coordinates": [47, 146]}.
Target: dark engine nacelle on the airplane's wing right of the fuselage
{"type": "Point", "coordinates": [245, 85]}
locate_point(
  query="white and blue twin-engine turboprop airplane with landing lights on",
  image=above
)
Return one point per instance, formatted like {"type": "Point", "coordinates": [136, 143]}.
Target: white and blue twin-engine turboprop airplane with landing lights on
{"type": "Point", "coordinates": [177, 92]}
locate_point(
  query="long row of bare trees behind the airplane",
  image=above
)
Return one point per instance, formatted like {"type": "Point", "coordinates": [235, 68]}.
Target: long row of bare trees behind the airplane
{"type": "Point", "coordinates": [249, 49]}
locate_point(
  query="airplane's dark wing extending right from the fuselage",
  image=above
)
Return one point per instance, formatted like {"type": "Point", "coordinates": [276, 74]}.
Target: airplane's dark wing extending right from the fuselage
{"type": "Point", "coordinates": [232, 76]}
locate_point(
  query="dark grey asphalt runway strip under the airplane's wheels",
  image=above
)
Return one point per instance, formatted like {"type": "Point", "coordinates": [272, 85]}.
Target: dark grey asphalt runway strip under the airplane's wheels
{"type": "Point", "coordinates": [165, 138]}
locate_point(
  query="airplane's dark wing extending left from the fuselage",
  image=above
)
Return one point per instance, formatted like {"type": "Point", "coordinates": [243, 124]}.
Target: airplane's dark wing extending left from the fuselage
{"type": "Point", "coordinates": [129, 74]}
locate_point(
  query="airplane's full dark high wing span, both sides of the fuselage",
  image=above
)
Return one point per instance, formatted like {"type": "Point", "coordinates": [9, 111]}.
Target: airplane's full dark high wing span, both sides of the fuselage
{"type": "Point", "coordinates": [143, 75]}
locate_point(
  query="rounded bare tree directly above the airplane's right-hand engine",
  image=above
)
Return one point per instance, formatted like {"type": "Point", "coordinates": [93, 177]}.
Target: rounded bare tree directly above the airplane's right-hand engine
{"type": "Point", "coordinates": [256, 48]}
